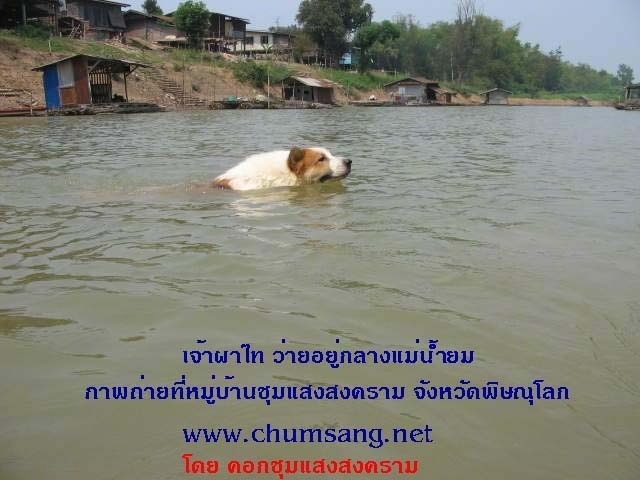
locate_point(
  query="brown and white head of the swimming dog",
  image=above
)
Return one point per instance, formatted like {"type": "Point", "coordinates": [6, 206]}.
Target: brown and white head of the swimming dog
{"type": "Point", "coordinates": [316, 164]}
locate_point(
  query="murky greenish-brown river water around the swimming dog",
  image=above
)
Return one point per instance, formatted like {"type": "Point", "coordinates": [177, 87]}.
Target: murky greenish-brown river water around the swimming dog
{"type": "Point", "coordinates": [513, 232]}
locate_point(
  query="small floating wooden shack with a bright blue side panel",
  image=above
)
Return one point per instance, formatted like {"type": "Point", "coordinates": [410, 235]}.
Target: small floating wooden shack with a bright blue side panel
{"type": "Point", "coordinates": [84, 80]}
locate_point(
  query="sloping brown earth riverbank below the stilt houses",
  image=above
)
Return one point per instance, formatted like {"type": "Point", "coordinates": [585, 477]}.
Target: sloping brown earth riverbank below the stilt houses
{"type": "Point", "coordinates": [174, 82]}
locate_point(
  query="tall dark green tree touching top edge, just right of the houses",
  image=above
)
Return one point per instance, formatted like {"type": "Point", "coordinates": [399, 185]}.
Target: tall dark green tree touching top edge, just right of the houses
{"type": "Point", "coordinates": [329, 22]}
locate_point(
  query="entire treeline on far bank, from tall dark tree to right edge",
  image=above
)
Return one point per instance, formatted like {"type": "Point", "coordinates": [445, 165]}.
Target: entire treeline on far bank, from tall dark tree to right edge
{"type": "Point", "coordinates": [474, 51]}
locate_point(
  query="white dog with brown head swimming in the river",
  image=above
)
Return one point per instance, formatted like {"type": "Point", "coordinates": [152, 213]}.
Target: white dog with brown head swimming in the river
{"type": "Point", "coordinates": [284, 168]}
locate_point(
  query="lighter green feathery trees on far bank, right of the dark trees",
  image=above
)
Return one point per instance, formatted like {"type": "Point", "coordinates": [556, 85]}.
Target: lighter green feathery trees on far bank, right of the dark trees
{"type": "Point", "coordinates": [486, 54]}
